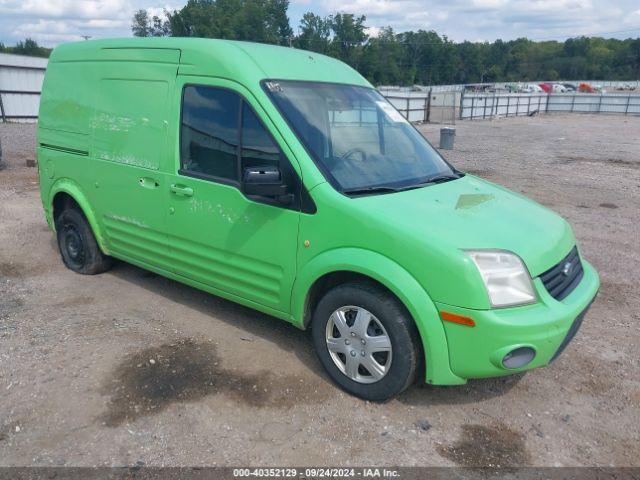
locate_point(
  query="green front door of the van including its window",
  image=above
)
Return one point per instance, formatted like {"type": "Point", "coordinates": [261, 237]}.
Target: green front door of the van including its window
{"type": "Point", "coordinates": [244, 248]}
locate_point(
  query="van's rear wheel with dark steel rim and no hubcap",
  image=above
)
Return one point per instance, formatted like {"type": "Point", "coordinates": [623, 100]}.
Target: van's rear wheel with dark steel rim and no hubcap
{"type": "Point", "coordinates": [78, 247]}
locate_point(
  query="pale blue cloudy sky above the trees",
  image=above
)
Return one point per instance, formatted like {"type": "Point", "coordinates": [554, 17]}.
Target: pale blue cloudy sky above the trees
{"type": "Point", "coordinates": [51, 22]}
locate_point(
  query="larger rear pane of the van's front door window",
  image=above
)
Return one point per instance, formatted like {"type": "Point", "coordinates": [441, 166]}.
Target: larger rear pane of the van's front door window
{"type": "Point", "coordinates": [210, 135]}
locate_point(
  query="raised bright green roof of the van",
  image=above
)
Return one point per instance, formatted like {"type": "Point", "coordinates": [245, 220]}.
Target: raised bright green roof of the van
{"type": "Point", "coordinates": [240, 61]}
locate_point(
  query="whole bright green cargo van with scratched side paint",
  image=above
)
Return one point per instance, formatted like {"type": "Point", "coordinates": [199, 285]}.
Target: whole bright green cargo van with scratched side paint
{"type": "Point", "coordinates": [282, 180]}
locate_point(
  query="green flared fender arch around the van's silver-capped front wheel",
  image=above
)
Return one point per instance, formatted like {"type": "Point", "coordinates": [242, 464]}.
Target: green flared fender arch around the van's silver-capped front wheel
{"type": "Point", "coordinates": [346, 264]}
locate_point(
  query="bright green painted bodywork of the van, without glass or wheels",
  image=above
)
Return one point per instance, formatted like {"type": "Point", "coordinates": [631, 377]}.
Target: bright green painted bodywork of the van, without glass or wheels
{"type": "Point", "coordinates": [109, 137]}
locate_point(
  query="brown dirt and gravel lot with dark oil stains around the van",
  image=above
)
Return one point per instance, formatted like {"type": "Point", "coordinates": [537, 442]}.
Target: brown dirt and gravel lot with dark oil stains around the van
{"type": "Point", "coordinates": [129, 368]}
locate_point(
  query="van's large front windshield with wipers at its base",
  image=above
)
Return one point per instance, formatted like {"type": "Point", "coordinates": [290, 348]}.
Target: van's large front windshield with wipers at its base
{"type": "Point", "coordinates": [358, 139]}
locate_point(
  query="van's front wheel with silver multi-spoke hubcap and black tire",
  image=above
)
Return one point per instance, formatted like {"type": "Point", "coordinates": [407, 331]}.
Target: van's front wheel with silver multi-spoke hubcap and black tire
{"type": "Point", "coordinates": [338, 332]}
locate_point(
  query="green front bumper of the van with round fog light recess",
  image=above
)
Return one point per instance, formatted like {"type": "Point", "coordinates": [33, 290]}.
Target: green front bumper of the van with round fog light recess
{"type": "Point", "coordinates": [546, 327]}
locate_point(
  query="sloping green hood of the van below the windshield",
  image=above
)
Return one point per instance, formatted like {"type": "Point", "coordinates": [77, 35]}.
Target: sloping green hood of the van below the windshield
{"type": "Point", "coordinates": [471, 213]}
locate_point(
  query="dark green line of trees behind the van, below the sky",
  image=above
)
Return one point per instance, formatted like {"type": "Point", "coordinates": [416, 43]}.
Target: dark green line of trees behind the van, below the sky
{"type": "Point", "coordinates": [406, 58]}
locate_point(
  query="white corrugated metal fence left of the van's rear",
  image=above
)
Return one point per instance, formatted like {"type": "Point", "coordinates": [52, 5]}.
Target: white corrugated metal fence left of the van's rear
{"type": "Point", "coordinates": [20, 85]}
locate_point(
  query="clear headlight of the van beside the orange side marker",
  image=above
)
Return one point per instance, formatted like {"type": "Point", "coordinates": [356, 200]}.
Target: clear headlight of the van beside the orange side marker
{"type": "Point", "coordinates": [505, 277]}
